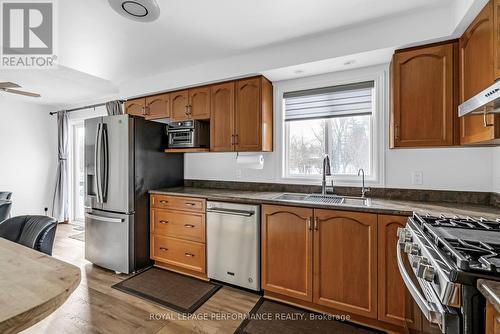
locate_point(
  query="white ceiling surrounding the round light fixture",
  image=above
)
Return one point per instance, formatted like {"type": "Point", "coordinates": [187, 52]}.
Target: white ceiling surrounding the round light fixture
{"type": "Point", "coordinates": [99, 49]}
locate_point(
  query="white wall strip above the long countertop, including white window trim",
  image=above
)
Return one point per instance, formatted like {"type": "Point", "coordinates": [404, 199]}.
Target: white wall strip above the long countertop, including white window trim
{"type": "Point", "coordinates": [468, 169]}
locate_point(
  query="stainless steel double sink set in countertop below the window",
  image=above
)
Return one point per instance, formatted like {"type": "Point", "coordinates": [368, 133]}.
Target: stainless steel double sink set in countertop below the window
{"type": "Point", "coordinates": [323, 199]}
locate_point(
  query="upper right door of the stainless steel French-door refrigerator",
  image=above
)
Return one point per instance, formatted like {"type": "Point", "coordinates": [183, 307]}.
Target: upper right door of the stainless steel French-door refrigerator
{"type": "Point", "coordinates": [116, 171]}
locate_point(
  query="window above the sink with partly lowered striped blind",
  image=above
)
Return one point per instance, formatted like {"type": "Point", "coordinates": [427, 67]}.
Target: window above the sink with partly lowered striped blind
{"type": "Point", "coordinates": [336, 121]}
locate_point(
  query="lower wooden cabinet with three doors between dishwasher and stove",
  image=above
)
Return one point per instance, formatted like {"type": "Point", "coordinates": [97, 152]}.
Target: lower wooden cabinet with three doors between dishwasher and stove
{"type": "Point", "coordinates": [339, 262]}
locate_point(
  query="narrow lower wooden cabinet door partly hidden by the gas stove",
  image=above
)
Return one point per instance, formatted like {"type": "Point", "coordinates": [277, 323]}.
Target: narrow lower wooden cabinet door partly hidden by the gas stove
{"type": "Point", "coordinates": [395, 304]}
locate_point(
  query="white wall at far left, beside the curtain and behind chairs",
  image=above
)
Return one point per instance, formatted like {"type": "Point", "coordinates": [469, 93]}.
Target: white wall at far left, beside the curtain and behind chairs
{"type": "Point", "coordinates": [28, 154]}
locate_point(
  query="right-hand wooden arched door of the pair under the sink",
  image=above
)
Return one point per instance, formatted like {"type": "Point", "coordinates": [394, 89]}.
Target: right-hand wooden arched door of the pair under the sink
{"type": "Point", "coordinates": [345, 261]}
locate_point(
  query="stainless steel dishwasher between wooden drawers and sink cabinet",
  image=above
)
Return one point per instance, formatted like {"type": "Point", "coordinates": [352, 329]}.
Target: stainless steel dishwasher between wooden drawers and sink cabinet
{"type": "Point", "coordinates": [233, 244]}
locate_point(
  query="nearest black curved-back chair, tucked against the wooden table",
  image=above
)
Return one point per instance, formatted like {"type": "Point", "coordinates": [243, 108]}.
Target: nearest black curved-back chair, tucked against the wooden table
{"type": "Point", "coordinates": [37, 232]}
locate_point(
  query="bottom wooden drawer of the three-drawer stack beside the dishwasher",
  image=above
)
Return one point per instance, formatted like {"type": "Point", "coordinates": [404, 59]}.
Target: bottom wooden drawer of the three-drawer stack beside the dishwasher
{"type": "Point", "coordinates": [181, 253]}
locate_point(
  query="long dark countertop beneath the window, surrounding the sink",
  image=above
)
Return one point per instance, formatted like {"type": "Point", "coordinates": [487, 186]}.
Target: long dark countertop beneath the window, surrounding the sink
{"type": "Point", "coordinates": [384, 206]}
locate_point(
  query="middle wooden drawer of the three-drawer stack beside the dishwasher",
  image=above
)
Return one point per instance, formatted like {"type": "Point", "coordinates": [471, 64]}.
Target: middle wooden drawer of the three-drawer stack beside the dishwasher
{"type": "Point", "coordinates": [182, 225]}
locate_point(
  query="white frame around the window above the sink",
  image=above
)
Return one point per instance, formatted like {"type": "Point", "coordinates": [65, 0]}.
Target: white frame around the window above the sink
{"type": "Point", "coordinates": [377, 74]}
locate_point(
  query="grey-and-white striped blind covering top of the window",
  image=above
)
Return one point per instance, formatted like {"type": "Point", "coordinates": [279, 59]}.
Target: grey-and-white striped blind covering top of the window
{"type": "Point", "coordinates": [337, 101]}
